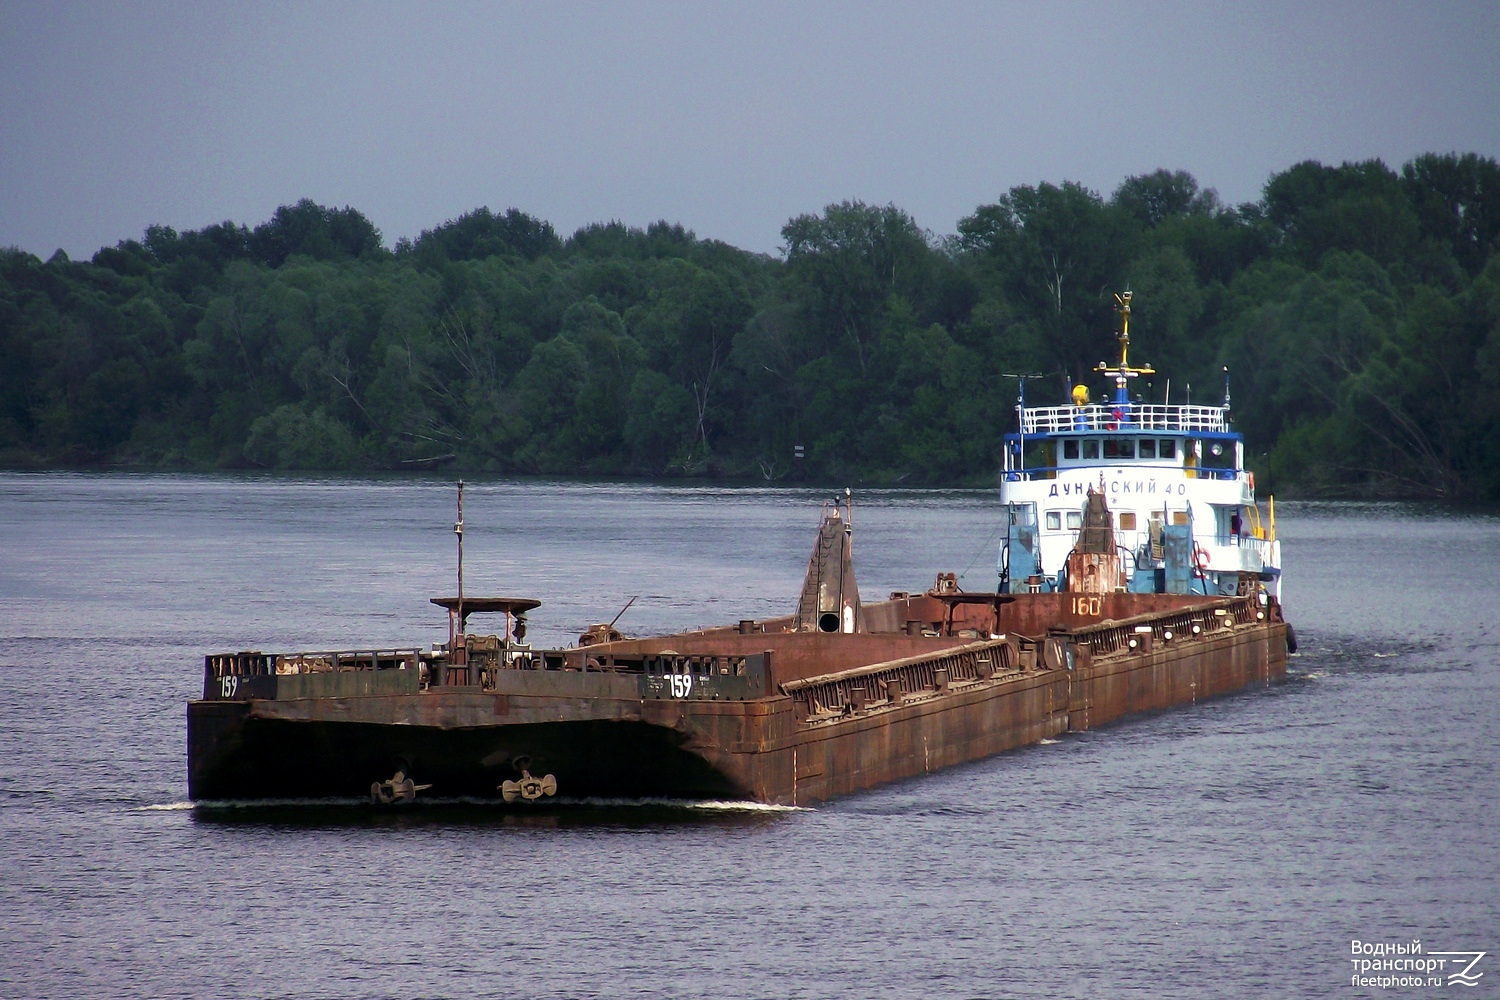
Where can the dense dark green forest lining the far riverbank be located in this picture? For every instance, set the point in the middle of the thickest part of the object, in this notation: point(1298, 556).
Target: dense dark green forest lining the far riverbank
point(1357, 308)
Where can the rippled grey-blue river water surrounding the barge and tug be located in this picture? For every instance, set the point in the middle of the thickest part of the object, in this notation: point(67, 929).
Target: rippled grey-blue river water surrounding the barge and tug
point(1223, 851)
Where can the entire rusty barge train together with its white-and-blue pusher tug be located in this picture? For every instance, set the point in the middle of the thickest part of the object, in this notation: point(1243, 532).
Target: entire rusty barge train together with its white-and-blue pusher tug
point(1093, 620)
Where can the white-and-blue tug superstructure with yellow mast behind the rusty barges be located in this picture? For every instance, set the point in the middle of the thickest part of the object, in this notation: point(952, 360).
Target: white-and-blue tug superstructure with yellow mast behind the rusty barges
point(1181, 504)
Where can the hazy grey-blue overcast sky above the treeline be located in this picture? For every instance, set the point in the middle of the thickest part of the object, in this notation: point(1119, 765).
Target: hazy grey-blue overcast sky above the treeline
point(725, 118)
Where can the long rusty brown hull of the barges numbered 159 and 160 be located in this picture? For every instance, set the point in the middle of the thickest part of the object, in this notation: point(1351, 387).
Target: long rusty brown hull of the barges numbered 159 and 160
point(787, 717)
